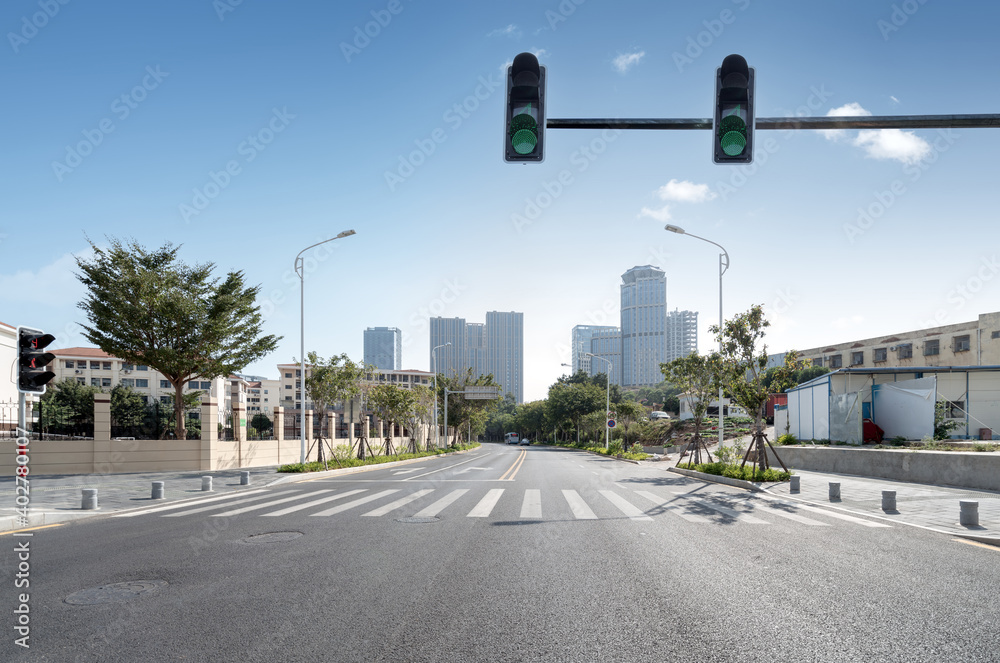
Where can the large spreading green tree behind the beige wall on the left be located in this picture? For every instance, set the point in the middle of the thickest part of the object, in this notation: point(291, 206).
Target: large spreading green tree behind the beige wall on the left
point(148, 308)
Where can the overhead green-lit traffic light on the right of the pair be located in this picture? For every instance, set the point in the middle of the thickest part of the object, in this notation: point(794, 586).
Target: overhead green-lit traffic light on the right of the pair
point(732, 125)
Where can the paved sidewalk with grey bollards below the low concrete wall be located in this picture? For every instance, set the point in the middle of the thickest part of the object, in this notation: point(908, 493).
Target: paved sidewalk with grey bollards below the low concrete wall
point(934, 508)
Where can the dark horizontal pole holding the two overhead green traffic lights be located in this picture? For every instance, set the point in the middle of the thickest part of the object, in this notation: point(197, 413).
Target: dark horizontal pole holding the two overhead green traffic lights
point(971, 121)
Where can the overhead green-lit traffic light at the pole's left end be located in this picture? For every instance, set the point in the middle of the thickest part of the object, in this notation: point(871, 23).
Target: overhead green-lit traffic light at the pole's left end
point(524, 119)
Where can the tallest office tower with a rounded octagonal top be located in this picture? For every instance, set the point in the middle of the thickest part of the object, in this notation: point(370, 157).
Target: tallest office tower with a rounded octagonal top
point(644, 317)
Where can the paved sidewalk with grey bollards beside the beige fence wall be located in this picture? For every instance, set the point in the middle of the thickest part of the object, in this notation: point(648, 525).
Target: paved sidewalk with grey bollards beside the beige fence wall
point(58, 498)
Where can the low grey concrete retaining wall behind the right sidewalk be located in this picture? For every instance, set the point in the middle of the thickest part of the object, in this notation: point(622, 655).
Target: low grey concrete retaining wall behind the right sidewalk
point(966, 469)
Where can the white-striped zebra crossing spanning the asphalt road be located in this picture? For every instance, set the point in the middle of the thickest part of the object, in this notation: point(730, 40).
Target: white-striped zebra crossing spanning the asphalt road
point(529, 504)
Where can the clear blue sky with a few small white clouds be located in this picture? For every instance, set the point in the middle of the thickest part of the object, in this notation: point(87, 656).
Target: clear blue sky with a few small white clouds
point(245, 131)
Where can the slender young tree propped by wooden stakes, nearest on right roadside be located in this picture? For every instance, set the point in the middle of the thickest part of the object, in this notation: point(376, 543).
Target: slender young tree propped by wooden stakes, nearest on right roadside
point(744, 359)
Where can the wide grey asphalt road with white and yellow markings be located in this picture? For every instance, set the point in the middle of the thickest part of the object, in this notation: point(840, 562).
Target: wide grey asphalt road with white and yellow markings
point(502, 554)
